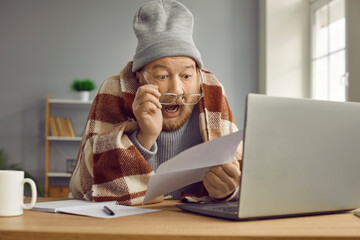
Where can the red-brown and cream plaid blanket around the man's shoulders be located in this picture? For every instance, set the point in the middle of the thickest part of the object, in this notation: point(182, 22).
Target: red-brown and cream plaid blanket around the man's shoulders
point(109, 167)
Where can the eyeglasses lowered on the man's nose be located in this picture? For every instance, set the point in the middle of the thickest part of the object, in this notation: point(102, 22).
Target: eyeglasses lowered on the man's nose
point(187, 99)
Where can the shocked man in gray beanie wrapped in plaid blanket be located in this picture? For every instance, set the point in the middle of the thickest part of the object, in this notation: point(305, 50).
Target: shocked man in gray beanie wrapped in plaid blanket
point(161, 104)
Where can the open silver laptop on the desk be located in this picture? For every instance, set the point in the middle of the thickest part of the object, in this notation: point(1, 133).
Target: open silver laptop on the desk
point(301, 157)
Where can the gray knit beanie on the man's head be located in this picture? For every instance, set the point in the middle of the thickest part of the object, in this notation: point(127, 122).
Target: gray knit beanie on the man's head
point(163, 28)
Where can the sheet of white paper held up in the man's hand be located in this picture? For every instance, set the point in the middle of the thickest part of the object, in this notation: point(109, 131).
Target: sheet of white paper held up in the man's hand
point(191, 165)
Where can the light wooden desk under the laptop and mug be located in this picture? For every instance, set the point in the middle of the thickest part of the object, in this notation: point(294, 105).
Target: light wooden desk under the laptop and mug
point(173, 223)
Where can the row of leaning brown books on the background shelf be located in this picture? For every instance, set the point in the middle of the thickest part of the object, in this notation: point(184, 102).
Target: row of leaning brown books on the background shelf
point(61, 127)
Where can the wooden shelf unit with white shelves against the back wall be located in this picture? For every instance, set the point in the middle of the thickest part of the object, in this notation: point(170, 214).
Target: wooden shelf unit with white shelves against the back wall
point(49, 139)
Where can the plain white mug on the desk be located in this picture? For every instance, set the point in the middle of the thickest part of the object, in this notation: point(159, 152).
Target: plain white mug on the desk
point(12, 193)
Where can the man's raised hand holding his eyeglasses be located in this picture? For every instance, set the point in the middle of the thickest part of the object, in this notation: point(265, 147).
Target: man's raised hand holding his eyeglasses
point(147, 110)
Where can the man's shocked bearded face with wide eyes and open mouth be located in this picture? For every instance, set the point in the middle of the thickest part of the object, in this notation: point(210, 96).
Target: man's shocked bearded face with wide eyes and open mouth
point(176, 75)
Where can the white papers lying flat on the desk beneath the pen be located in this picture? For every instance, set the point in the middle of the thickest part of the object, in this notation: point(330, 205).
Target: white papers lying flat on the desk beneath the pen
point(91, 209)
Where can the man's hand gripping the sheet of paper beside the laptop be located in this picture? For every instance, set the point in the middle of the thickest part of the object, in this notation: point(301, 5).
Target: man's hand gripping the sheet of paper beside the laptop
point(221, 181)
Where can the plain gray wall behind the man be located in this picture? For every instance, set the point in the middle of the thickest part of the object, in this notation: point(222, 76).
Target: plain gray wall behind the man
point(45, 44)
